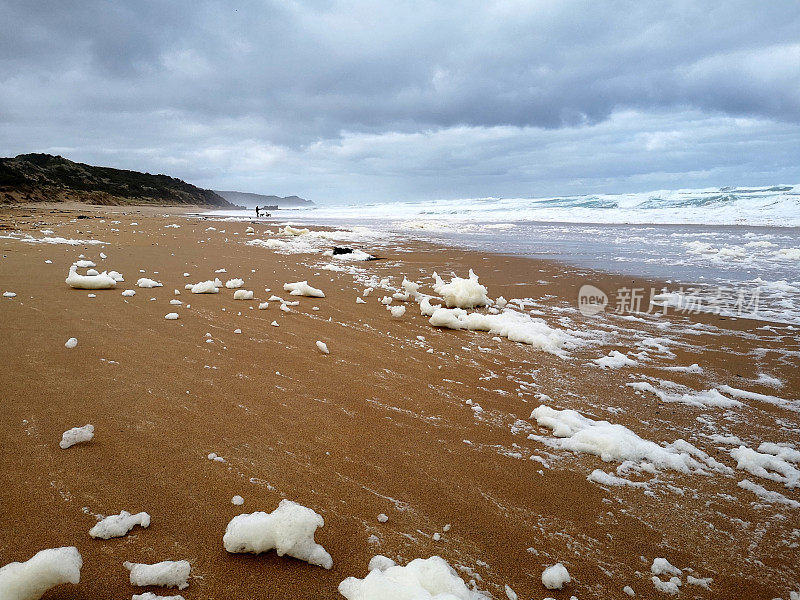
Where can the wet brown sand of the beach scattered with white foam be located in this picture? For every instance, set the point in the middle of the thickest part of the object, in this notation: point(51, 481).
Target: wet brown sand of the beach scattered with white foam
point(379, 425)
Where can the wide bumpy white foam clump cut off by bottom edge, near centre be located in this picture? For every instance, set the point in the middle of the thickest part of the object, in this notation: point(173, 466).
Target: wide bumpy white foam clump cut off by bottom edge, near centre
point(424, 579)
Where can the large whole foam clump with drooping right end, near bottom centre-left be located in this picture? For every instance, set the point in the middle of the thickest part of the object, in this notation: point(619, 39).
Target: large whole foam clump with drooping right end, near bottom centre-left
point(289, 529)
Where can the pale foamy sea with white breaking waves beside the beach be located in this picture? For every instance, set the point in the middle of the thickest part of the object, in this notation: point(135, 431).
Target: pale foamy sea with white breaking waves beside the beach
point(740, 245)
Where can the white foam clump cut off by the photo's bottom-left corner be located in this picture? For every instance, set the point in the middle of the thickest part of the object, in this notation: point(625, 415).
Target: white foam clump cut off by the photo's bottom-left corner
point(48, 568)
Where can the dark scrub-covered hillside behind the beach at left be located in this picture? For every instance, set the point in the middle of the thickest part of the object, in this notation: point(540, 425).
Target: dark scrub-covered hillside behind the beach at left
point(47, 178)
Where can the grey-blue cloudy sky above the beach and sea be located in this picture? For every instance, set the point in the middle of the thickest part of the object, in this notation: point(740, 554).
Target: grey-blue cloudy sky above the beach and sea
point(395, 100)
